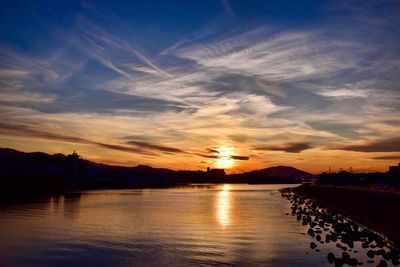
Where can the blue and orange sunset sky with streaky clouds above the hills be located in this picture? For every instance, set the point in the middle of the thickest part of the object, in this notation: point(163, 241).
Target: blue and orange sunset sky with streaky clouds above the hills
point(240, 85)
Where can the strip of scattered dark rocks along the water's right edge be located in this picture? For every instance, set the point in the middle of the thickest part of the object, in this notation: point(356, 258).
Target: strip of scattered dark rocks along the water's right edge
point(348, 242)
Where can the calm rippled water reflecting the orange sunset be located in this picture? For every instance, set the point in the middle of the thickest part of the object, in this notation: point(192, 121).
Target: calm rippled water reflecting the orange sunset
point(216, 225)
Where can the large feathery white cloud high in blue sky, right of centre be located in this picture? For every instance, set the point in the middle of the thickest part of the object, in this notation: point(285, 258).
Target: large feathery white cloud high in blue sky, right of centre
point(278, 57)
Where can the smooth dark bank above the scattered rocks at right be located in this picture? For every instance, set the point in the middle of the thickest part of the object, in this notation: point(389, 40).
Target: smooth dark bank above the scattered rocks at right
point(378, 210)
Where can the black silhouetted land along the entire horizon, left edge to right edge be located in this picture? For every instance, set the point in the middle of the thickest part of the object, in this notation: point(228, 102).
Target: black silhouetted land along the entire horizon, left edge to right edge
point(37, 172)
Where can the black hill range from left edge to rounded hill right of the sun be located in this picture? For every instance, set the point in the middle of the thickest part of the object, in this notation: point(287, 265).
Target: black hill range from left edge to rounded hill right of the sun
point(40, 170)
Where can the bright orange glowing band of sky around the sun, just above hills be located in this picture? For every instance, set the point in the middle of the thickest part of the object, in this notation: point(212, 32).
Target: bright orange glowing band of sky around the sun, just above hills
point(314, 160)
